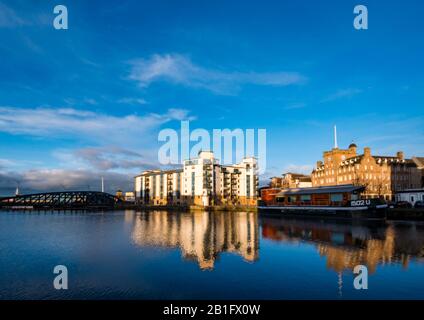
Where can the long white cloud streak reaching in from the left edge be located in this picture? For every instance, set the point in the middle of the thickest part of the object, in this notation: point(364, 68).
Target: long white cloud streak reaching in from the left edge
point(69, 122)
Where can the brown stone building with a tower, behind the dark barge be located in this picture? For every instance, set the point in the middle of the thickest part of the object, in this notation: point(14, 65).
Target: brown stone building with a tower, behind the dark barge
point(382, 176)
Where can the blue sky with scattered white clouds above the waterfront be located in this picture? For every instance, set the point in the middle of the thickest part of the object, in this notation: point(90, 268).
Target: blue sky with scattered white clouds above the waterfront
point(89, 101)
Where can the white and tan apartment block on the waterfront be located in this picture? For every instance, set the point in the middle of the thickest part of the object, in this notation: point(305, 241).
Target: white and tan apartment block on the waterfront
point(202, 182)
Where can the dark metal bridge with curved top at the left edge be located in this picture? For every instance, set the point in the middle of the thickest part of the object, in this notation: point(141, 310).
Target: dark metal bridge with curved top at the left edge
point(62, 200)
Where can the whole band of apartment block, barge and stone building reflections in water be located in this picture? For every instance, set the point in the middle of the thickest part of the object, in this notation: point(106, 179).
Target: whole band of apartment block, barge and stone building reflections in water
point(203, 236)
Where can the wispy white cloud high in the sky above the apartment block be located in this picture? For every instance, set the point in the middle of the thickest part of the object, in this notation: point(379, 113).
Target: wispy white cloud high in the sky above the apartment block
point(181, 70)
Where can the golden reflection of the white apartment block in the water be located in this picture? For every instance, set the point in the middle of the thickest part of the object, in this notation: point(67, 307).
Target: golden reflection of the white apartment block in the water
point(202, 236)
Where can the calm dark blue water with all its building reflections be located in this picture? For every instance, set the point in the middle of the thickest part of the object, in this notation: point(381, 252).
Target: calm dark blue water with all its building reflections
point(166, 255)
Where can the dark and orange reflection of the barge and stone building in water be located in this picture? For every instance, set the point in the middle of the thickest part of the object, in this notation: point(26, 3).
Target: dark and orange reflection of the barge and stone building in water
point(347, 244)
